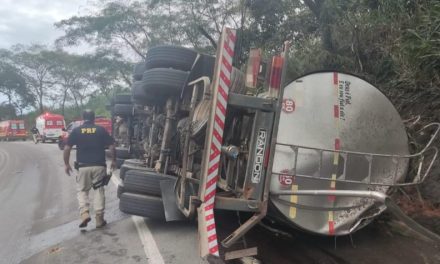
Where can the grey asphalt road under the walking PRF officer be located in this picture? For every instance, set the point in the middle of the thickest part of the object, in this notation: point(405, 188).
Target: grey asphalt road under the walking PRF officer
point(39, 218)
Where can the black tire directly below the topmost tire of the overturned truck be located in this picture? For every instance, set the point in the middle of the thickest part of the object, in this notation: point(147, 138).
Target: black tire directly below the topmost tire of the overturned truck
point(165, 82)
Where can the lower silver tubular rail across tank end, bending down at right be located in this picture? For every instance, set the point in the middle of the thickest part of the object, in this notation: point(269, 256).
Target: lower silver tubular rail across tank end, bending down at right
point(377, 197)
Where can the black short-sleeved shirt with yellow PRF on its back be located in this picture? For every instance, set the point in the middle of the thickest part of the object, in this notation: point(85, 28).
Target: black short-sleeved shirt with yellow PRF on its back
point(90, 141)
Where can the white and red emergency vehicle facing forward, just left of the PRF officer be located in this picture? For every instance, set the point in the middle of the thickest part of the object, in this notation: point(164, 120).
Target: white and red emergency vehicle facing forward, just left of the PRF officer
point(50, 126)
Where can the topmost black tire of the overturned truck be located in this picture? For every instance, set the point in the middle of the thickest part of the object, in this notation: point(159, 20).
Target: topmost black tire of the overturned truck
point(170, 57)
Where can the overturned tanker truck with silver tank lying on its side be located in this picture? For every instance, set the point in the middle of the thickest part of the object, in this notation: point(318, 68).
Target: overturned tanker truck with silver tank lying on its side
point(322, 153)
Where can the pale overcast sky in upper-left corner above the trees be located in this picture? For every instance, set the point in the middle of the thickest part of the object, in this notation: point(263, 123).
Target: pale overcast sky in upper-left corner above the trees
point(32, 21)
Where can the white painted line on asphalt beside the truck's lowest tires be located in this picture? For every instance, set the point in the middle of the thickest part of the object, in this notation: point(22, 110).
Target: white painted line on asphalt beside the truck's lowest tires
point(149, 244)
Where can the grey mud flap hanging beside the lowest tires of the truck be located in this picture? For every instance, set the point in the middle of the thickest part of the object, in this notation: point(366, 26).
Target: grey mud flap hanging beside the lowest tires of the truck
point(172, 212)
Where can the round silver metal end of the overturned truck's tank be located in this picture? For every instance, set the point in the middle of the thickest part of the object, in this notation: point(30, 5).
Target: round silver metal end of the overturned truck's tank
point(325, 115)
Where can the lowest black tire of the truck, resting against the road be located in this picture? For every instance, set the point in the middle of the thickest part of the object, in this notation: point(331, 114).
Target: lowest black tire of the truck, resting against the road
point(142, 205)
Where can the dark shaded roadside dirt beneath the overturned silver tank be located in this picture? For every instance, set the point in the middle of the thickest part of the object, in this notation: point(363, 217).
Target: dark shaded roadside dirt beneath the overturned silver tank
point(385, 240)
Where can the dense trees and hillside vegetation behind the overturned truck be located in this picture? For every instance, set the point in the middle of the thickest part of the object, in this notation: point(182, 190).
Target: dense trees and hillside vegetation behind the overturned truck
point(393, 44)
